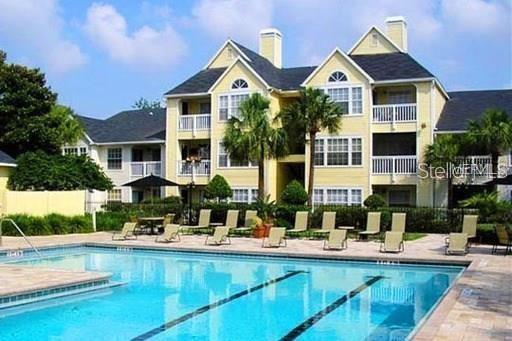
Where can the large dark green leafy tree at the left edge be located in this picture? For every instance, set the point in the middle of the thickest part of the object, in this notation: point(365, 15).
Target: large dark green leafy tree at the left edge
point(29, 119)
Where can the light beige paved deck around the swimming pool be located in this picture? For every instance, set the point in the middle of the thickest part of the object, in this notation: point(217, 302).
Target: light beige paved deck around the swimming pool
point(479, 306)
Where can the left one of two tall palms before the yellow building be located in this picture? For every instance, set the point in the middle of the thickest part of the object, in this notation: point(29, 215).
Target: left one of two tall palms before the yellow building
point(252, 136)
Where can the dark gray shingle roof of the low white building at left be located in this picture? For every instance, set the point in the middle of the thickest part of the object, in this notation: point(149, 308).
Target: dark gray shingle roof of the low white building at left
point(131, 125)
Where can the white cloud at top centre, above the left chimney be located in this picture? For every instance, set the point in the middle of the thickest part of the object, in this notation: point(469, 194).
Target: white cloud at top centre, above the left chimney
point(239, 19)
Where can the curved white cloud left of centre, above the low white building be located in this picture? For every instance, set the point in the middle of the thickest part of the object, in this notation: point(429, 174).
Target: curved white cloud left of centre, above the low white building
point(145, 47)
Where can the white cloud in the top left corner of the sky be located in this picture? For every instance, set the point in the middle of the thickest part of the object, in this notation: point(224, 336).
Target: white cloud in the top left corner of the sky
point(37, 25)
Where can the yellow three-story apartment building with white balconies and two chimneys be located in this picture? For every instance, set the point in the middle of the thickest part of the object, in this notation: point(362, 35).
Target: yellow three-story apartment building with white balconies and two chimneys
point(394, 107)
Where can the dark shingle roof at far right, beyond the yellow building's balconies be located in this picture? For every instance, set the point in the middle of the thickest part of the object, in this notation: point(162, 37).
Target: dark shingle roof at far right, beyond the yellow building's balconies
point(469, 105)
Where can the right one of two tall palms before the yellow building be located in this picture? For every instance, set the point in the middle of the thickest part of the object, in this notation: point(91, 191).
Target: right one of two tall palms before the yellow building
point(312, 113)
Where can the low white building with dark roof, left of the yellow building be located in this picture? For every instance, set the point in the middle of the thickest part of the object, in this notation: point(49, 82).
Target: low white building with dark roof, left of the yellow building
point(128, 145)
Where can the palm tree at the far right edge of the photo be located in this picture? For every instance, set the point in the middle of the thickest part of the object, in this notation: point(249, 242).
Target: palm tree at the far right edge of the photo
point(494, 133)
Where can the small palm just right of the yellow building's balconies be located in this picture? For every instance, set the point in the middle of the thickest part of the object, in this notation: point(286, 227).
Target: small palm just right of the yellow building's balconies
point(443, 153)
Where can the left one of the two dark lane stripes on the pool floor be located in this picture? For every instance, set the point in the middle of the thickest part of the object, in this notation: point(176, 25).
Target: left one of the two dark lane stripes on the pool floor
point(213, 305)
